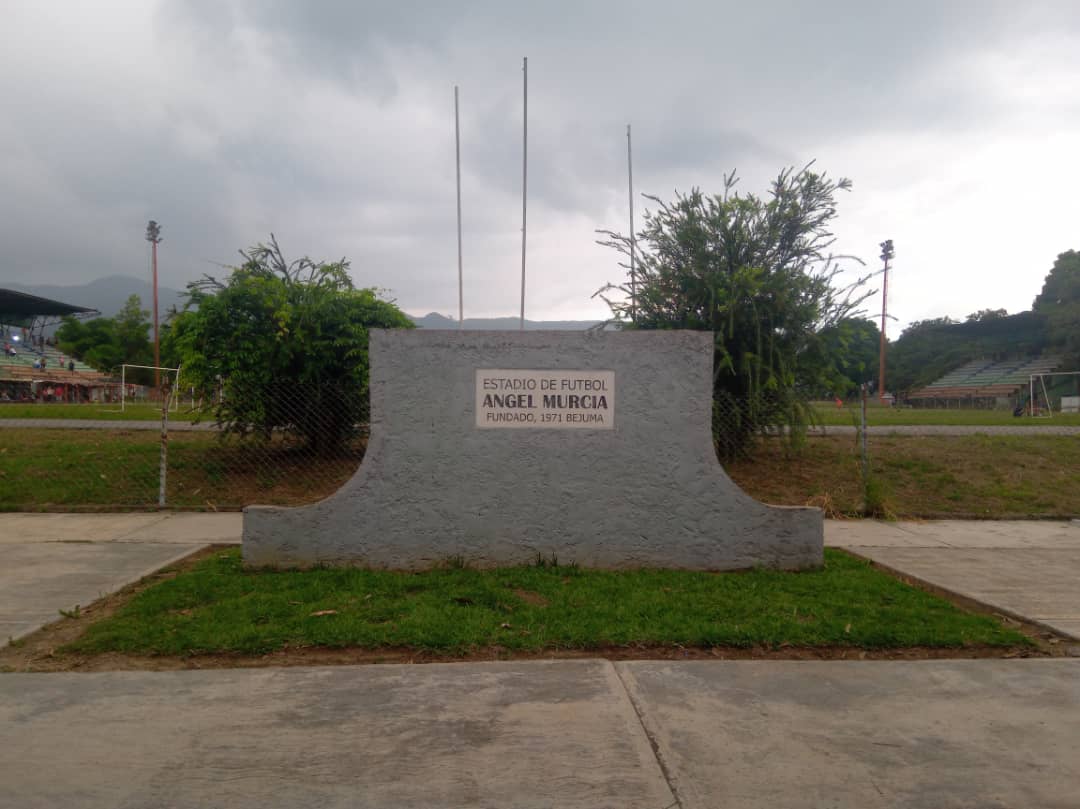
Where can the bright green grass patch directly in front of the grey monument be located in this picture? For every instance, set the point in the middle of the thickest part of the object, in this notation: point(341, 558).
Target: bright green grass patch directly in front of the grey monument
point(220, 608)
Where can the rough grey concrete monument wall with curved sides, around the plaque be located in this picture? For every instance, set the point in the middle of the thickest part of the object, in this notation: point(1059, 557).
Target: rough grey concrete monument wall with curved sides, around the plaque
point(434, 486)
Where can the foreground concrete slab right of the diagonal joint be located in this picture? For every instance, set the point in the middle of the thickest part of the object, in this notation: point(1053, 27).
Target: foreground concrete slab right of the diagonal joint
point(929, 735)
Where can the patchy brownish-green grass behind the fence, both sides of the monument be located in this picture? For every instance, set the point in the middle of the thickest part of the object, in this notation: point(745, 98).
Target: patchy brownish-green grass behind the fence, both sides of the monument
point(948, 476)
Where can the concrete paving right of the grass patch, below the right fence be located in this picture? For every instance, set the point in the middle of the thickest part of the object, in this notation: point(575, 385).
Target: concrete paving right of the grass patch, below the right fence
point(1029, 570)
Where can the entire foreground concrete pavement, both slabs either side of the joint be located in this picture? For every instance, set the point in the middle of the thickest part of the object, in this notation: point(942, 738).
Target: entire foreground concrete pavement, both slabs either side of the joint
point(566, 734)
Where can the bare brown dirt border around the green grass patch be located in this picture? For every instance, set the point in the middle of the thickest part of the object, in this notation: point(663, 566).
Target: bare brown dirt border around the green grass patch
point(40, 652)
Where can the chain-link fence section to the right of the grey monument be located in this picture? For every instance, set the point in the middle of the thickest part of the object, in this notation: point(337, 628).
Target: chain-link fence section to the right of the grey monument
point(860, 457)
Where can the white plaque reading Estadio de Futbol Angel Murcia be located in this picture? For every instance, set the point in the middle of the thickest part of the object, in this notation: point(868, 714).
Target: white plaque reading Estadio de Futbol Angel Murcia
point(552, 400)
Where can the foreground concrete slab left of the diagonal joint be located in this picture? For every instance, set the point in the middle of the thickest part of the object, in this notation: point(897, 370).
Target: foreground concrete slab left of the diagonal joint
point(560, 734)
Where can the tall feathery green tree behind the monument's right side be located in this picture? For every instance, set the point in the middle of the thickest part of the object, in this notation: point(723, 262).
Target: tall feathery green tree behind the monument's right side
point(758, 274)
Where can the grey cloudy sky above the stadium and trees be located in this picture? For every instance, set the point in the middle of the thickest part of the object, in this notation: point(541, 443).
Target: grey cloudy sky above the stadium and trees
point(331, 124)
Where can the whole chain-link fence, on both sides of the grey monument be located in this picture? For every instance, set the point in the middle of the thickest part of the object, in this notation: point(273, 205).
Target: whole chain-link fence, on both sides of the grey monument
point(286, 444)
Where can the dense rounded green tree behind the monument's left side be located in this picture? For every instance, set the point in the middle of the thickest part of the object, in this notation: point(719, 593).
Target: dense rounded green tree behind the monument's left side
point(287, 343)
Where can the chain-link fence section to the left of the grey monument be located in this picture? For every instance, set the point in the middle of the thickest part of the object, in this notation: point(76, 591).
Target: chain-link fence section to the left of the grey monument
point(268, 443)
